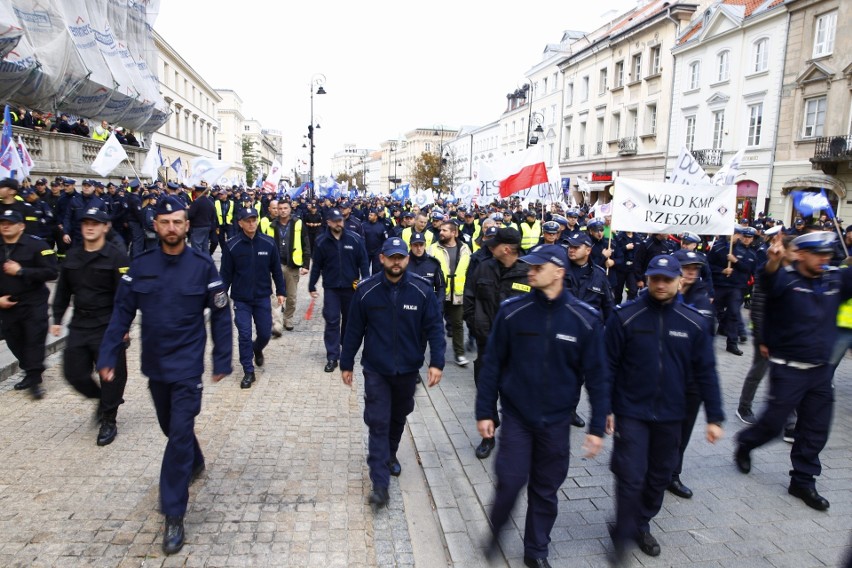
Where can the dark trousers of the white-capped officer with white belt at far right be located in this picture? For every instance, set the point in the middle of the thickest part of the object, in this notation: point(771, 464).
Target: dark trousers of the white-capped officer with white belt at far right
point(811, 393)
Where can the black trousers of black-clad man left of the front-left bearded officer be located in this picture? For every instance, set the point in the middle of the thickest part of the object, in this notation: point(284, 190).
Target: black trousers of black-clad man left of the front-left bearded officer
point(79, 360)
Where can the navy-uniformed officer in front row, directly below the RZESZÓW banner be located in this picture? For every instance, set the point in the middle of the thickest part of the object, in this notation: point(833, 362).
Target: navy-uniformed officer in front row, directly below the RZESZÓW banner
point(655, 346)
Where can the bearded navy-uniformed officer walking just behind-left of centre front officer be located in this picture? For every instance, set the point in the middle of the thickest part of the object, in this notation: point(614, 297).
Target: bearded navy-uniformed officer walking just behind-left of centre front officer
point(341, 259)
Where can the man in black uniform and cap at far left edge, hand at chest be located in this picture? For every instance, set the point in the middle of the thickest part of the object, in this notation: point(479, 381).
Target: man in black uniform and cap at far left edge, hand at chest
point(27, 263)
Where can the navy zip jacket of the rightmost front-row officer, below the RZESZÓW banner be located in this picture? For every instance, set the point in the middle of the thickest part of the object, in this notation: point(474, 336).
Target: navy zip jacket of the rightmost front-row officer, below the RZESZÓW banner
point(654, 351)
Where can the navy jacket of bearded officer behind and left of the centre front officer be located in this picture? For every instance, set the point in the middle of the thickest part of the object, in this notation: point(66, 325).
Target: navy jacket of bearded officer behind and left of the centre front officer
point(342, 262)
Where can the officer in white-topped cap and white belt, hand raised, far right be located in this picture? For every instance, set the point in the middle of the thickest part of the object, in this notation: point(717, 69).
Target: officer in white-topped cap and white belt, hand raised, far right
point(799, 330)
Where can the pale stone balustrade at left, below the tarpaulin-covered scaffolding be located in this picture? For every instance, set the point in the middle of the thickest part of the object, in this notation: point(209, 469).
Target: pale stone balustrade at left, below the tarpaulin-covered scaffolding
point(56, 154)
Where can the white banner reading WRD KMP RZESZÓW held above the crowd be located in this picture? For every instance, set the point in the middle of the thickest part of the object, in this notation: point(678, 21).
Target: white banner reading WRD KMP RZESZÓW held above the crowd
point(655, 207)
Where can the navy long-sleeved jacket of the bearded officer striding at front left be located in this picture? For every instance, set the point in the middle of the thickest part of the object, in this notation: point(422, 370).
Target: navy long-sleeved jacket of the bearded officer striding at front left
point(172, 291)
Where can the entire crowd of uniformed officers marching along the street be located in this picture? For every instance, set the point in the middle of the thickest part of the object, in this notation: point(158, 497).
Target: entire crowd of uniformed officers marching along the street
point(552, 300)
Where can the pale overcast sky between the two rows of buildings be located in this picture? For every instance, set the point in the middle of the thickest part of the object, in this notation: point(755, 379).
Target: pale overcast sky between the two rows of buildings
point(390, 67)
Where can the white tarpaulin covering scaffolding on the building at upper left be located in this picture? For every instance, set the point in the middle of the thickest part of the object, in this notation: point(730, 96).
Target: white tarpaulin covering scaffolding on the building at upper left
point(91, 58)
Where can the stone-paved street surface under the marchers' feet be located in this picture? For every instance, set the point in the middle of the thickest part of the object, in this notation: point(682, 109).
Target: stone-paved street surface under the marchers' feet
point(286, 481)
